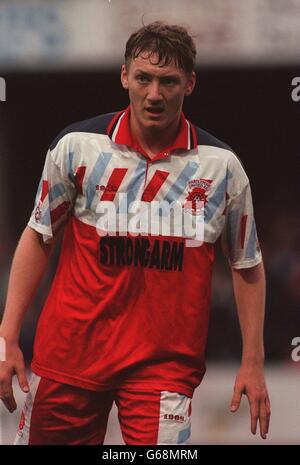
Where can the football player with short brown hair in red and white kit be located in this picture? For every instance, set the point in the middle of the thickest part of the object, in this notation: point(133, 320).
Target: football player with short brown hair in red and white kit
point(127, 316)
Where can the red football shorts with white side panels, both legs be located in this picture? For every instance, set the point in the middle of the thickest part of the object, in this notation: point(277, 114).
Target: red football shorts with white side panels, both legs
point(56, 413)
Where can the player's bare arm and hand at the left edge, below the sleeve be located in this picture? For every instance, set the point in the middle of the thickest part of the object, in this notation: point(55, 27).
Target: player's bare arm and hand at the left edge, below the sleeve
point(28, 266)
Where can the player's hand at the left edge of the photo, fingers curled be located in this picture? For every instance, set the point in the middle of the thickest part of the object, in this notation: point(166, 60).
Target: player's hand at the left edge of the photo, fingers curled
point(11, 362)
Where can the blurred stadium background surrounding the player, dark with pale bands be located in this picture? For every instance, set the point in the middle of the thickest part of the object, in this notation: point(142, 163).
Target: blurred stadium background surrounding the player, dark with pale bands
point(61, 61)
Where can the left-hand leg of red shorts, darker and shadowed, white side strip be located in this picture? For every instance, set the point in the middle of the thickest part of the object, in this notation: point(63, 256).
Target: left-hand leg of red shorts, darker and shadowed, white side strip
point(56, 413)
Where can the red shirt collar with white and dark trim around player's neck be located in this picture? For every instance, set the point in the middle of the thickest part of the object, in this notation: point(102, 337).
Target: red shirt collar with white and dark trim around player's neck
point(119, 132)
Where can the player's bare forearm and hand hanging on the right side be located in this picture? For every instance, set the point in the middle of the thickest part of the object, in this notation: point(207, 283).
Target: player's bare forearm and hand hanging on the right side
point(249, 290)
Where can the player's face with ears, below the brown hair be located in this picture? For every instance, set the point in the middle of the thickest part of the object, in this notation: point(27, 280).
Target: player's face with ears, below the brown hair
point(156, 92)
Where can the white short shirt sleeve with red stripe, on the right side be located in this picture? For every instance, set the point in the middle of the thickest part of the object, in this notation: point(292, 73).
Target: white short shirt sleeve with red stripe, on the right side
point(239, 237)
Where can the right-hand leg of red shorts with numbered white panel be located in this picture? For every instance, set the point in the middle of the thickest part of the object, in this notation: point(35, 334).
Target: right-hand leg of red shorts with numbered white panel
point(157, 417)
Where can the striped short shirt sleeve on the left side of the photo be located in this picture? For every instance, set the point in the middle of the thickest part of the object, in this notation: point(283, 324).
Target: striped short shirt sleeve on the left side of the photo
point(55, 196)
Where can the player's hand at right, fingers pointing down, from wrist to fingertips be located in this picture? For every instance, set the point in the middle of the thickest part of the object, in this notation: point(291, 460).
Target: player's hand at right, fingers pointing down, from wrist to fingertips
point(250, 381)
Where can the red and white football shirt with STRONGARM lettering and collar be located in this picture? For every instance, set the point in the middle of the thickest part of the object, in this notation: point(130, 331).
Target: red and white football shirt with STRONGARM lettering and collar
point(129, 310)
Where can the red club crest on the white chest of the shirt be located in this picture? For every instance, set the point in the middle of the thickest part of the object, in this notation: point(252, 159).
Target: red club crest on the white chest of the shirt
point(197, 196)
